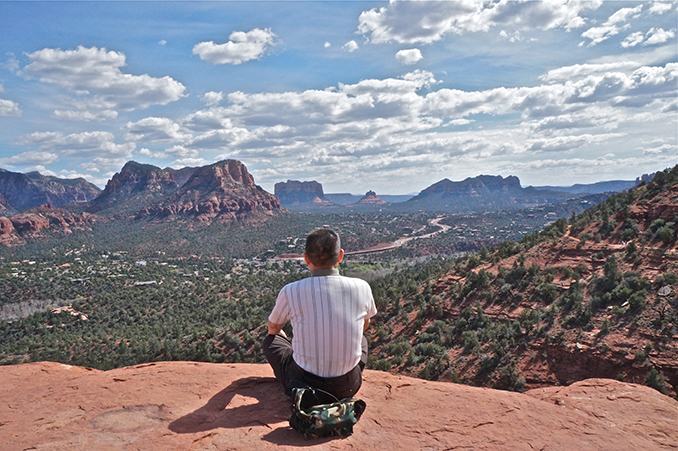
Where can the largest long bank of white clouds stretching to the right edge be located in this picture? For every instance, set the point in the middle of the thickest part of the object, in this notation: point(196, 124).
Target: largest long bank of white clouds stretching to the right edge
point(390, 125)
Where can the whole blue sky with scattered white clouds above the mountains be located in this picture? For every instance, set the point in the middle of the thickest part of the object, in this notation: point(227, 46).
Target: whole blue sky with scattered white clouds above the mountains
point(384, 96)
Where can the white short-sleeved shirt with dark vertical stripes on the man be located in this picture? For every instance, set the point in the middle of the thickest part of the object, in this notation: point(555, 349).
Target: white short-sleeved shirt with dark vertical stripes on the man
point(327, 313)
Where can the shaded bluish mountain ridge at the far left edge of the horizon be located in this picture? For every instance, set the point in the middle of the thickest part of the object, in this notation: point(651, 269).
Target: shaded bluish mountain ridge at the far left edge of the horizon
point(19, 192)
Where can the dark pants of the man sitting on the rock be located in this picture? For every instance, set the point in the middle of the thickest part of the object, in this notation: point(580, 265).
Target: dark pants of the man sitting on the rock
point(278, 352)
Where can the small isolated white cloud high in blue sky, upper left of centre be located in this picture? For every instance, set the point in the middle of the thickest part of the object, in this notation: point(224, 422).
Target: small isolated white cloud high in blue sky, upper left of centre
point(242, 47)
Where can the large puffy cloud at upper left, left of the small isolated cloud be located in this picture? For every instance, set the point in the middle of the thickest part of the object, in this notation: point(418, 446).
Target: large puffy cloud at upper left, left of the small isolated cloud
point(95, 76)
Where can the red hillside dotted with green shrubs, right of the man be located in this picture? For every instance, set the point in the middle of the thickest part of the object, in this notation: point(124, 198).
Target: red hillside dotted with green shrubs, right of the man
point(595, 297)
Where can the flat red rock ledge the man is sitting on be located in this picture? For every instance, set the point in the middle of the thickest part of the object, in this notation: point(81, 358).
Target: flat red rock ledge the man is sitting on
point(203, 406)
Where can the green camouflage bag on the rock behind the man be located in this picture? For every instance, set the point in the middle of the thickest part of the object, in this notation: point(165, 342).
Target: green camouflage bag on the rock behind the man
point(317, 420)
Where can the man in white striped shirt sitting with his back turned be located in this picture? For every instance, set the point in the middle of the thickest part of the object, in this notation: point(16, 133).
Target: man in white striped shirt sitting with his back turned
point(329, 314)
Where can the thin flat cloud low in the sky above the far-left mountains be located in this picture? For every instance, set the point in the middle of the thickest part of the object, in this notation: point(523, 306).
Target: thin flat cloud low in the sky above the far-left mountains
point(87, 144)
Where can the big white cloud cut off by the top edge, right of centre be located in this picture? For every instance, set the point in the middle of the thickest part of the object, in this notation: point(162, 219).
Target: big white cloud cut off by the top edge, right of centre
point(411, 22)
